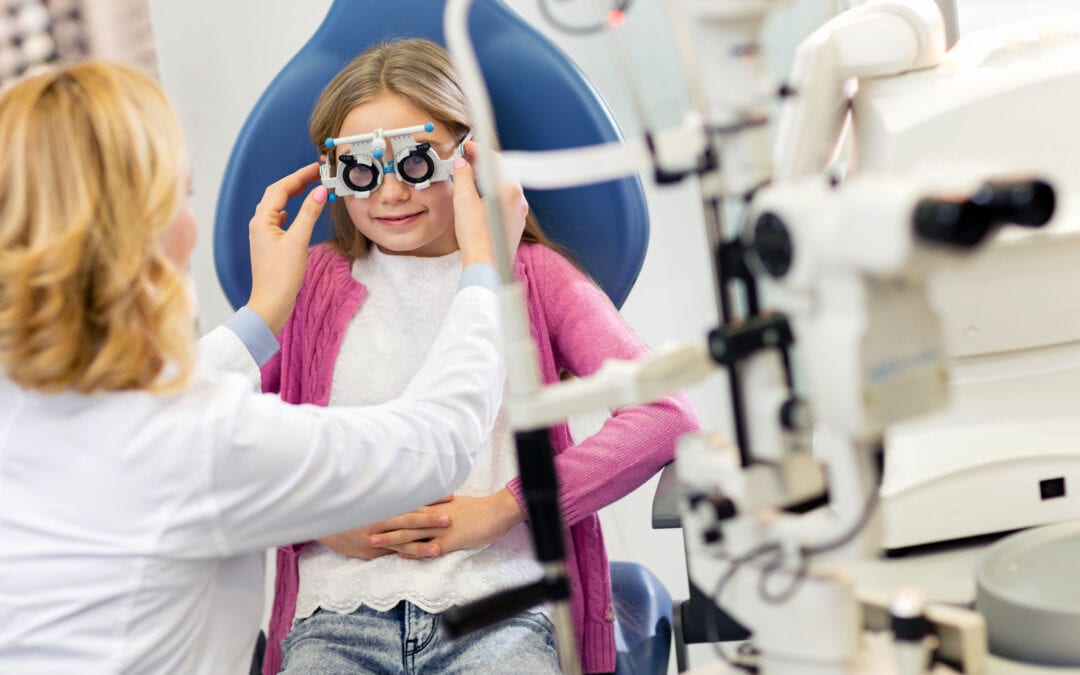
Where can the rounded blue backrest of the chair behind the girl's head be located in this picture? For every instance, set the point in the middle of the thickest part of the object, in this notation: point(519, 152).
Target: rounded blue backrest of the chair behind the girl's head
point(542, 101)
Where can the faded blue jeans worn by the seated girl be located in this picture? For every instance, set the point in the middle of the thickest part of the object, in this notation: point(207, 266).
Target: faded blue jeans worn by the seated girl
point(407, 640)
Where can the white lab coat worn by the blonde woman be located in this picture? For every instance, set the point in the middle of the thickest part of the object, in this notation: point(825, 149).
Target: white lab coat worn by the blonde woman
point(133, 528)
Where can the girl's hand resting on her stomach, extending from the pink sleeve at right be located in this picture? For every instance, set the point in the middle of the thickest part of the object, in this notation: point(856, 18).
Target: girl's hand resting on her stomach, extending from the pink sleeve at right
point(476, 522)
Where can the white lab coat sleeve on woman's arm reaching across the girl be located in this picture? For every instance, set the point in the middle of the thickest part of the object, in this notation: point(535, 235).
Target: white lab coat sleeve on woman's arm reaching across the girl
point(288, 474)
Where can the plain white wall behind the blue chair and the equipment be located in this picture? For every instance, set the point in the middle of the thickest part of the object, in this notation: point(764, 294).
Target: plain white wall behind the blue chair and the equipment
point(217, 58)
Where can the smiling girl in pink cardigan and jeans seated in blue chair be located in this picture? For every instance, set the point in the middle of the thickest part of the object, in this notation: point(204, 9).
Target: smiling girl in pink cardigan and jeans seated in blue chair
point(367, 307)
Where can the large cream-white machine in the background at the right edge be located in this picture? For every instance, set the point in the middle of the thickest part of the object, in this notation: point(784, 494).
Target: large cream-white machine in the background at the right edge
point(1003, 455)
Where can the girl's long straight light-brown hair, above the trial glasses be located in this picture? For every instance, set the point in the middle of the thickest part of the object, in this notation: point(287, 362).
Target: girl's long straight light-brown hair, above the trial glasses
point(416, 70)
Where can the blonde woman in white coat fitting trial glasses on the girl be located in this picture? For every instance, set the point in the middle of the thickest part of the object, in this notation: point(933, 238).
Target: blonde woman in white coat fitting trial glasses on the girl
point(138, 491)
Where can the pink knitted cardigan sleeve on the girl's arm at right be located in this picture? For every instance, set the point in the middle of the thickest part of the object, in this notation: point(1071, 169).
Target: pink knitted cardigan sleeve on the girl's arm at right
point(586, 330)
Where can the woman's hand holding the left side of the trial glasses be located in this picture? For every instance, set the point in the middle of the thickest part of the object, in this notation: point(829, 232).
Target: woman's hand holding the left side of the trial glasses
point(280, 258)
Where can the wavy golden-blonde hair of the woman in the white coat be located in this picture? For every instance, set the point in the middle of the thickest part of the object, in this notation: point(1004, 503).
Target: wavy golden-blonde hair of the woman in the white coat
point(90, 182)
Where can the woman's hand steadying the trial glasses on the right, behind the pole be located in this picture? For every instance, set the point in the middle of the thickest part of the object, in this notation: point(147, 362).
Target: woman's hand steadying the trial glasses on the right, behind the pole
point(470, 217)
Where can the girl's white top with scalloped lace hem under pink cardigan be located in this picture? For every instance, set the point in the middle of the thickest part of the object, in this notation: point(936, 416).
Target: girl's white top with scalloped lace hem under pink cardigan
point(384, 346)
